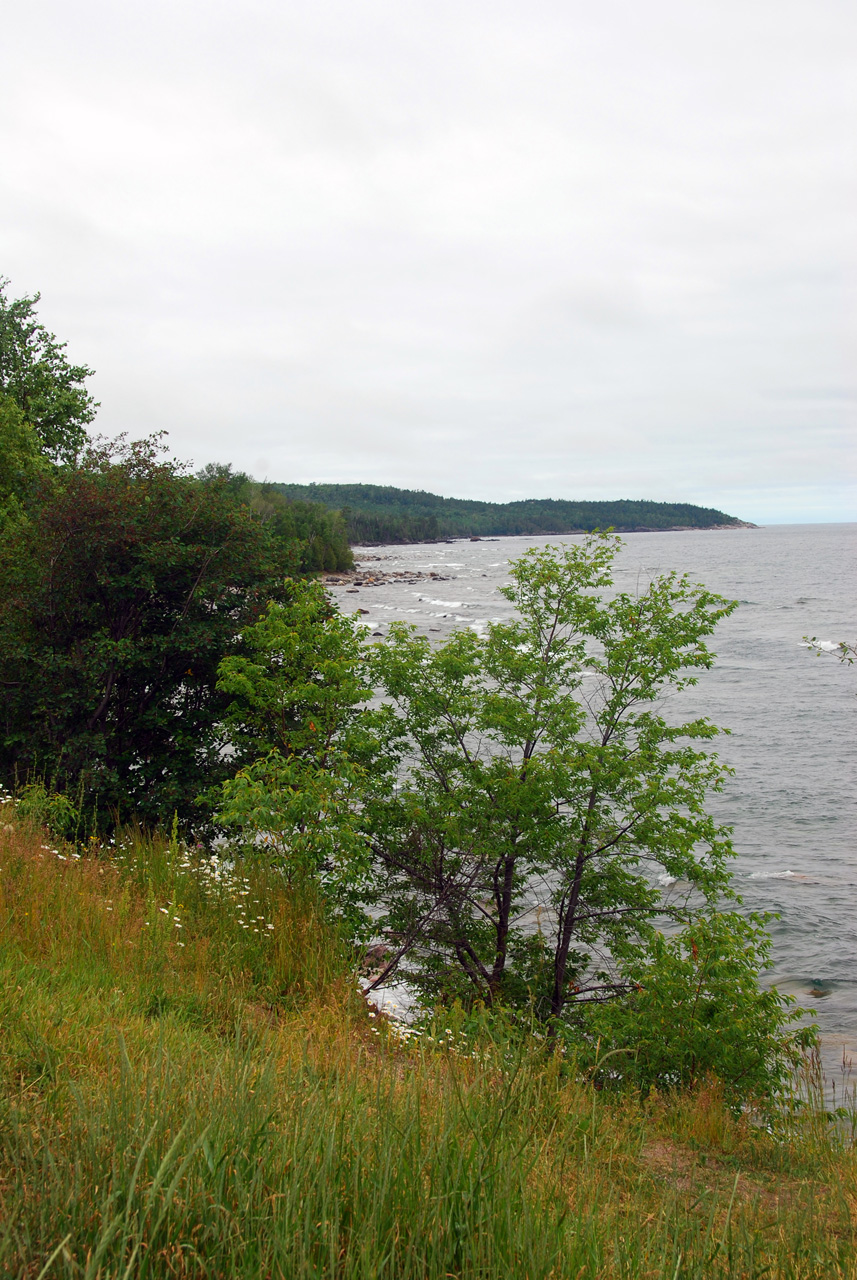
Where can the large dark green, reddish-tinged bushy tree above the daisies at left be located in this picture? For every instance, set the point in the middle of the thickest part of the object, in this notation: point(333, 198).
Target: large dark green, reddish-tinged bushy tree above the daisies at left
point(125, 586)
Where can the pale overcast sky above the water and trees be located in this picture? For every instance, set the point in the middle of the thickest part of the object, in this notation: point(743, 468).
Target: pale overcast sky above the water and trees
point(496, 250)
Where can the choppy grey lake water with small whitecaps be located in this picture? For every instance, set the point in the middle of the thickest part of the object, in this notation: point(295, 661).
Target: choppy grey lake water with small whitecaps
point(794, 717)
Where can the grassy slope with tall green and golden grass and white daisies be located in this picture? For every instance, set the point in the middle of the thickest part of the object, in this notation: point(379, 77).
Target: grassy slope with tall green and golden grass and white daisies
point(216, 1100)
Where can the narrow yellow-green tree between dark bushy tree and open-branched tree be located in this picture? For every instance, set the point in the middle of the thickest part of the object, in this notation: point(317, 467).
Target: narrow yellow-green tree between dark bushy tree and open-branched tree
point(296, 696)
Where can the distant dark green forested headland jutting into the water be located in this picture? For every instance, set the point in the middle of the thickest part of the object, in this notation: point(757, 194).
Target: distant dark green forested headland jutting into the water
point(383, 514)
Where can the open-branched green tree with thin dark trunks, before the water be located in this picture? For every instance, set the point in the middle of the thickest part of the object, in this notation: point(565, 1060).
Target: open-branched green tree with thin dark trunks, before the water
point(530, 790)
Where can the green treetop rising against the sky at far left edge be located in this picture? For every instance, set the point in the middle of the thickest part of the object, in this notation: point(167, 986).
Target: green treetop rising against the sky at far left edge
point(36, 374)
